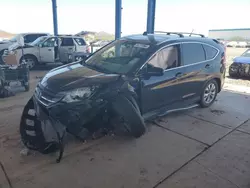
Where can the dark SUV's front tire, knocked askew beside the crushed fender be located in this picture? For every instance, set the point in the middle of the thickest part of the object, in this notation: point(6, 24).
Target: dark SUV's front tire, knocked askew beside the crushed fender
point(134, 121)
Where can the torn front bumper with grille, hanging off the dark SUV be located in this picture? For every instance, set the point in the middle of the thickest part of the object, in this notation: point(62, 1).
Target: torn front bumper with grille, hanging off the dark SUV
point(44, 121)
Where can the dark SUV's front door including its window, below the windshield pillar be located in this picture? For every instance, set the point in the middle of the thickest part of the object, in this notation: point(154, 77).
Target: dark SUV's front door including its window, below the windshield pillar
point(163, 91)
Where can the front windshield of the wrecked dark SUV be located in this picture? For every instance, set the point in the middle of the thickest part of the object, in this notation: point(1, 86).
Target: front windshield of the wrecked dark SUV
point(119, 56)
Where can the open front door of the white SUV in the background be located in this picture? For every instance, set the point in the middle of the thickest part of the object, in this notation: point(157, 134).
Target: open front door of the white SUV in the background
point(47, 51)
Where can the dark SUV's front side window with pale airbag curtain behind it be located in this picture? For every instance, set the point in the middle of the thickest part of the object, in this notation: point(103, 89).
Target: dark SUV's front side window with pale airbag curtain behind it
point(166, 58)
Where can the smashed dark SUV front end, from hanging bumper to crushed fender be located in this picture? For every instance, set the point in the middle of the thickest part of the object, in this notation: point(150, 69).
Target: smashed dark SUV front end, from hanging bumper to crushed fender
point(47, 117)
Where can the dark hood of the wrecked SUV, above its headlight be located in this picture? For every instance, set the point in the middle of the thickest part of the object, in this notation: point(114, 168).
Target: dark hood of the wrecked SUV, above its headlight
point(74, 75)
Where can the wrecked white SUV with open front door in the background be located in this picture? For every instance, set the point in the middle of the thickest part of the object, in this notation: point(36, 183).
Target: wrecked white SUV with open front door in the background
point(49, 49)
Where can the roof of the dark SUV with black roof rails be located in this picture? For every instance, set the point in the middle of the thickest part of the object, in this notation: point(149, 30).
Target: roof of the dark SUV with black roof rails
point(156, 39)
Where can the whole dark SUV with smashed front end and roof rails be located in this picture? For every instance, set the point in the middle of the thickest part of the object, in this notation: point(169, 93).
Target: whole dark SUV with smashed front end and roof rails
point(128, 81)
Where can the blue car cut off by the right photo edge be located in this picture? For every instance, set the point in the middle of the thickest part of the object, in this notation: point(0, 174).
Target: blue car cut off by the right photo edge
point(241, 65)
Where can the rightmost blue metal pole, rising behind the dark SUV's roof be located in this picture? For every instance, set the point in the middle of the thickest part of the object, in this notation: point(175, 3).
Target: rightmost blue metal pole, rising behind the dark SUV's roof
point(151, 16)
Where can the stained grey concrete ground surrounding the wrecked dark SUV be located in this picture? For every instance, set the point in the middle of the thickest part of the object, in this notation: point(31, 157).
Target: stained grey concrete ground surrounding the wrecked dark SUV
point(195, 148)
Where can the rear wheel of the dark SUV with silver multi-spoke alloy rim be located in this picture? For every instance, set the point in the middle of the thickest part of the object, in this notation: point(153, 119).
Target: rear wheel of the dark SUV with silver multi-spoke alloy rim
point(209, 93)
